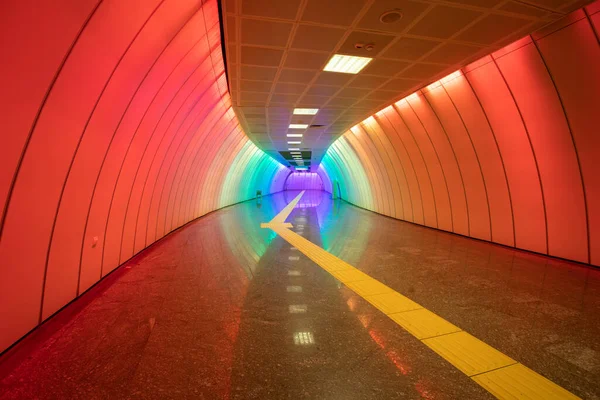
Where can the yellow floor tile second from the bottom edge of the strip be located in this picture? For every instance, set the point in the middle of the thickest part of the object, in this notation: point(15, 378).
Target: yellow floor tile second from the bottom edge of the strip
point(468, 353)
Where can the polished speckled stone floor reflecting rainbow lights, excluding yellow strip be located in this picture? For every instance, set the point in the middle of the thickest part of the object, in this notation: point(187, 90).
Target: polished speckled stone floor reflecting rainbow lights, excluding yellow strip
point(223, 309)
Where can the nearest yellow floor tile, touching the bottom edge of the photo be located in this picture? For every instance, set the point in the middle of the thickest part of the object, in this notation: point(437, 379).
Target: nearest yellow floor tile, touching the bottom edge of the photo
point(519, 382)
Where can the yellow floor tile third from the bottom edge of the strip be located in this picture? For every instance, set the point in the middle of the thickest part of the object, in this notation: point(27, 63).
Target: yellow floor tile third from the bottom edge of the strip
point(423, 323)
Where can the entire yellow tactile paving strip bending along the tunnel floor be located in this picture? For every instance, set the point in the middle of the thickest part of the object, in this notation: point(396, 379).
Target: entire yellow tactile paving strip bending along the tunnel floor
point(499, 374)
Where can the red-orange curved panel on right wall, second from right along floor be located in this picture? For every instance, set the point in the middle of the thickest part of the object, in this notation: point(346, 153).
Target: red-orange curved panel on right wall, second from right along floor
point(552, 143)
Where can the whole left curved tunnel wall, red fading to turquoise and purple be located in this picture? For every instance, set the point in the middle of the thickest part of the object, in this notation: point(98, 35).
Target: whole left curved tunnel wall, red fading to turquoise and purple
point(118, 133)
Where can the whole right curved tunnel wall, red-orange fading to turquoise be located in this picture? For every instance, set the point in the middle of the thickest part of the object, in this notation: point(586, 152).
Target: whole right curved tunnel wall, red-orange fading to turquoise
point(504, 150)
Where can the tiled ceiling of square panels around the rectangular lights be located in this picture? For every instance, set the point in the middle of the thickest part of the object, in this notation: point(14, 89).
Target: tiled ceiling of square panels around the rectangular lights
point(276, 51)
